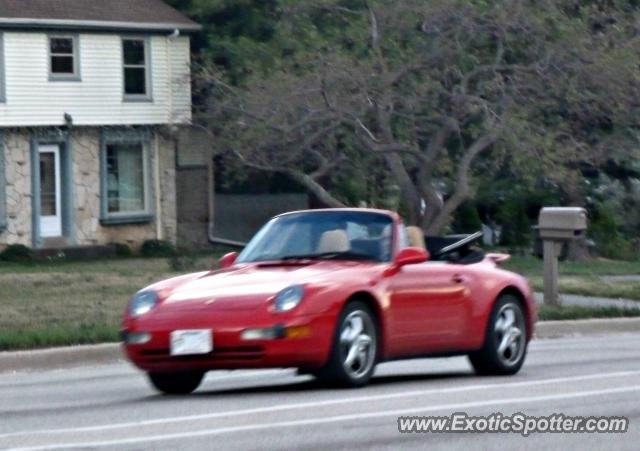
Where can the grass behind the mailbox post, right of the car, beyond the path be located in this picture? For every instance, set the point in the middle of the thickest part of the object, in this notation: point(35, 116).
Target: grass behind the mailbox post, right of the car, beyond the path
point(584, 278)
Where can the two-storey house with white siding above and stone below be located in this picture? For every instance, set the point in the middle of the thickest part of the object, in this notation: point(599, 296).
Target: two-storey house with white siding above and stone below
point(91, 95)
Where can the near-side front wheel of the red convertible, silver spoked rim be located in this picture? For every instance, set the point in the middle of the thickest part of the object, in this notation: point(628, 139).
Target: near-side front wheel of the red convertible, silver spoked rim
point(354, 352)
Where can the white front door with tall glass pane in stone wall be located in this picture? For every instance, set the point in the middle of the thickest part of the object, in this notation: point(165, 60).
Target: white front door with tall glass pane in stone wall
point(50, 214)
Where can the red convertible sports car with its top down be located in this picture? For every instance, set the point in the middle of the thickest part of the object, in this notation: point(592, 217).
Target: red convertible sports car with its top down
point(333, 293)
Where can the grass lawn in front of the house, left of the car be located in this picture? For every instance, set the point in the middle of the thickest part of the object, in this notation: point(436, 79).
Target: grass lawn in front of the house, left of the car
point(65, 303)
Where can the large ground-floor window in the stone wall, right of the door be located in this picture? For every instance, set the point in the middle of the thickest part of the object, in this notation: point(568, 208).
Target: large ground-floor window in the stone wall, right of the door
point(126, 179)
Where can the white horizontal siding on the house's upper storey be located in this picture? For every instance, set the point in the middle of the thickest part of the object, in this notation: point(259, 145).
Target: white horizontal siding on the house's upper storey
point(97, 99)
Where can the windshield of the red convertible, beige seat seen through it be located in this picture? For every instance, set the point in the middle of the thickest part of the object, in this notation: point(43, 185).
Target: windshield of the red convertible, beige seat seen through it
point(322, 235)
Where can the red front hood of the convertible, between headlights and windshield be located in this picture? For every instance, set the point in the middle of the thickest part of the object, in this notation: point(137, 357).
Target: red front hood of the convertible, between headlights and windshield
point(251, 285)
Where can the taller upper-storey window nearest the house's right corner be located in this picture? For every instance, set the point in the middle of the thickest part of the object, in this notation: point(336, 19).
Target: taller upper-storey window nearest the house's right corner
point(137, 80)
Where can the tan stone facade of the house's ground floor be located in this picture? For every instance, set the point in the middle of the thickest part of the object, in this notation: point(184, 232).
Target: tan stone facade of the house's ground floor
point(86, 225)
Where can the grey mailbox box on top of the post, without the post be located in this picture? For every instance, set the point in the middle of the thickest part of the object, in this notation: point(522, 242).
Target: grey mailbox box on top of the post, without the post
point(562, 223)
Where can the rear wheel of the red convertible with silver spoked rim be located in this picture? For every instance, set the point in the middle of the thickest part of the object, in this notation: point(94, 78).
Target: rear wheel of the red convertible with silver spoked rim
point(505, 343)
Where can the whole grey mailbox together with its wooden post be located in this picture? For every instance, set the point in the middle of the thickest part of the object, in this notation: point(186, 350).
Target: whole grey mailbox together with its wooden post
point(558, 225)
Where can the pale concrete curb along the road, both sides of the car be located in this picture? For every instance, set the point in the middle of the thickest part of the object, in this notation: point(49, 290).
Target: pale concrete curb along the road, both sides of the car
point(76, 356)
